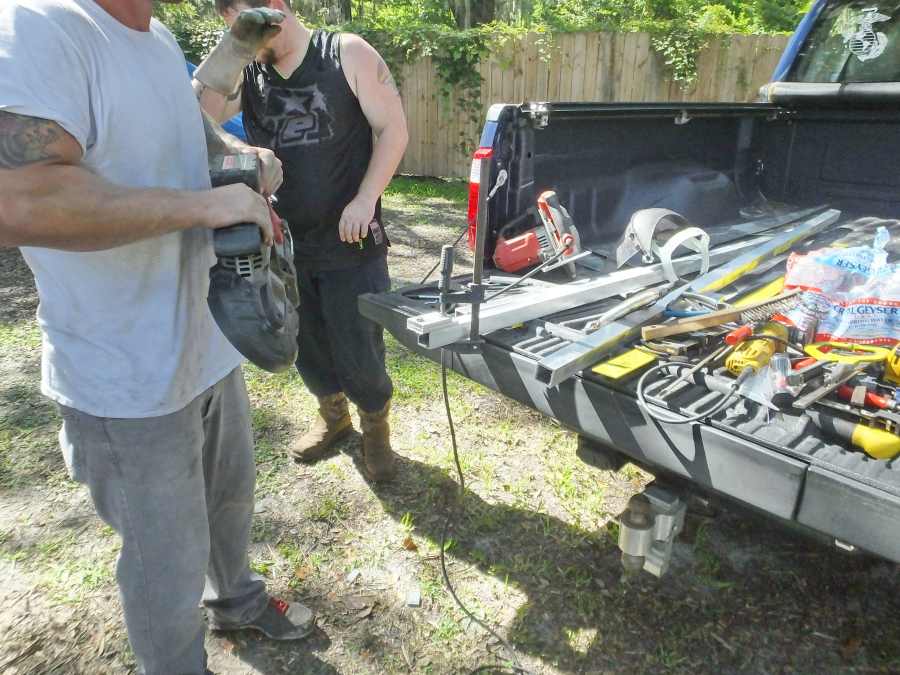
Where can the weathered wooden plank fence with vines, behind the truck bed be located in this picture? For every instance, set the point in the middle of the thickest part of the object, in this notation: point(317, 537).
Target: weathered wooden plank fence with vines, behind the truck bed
point(582, 67)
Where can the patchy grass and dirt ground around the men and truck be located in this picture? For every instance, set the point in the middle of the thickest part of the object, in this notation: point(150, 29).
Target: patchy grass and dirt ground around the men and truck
point(533, 552)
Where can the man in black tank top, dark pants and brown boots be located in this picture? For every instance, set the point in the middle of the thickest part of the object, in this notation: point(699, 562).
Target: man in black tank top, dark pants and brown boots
point(317, 99)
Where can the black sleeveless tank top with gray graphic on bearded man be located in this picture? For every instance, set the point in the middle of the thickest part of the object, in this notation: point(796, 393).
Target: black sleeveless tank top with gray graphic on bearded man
point(314, 124)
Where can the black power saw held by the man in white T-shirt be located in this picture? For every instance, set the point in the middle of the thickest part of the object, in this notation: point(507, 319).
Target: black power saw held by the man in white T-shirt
point(253, 292)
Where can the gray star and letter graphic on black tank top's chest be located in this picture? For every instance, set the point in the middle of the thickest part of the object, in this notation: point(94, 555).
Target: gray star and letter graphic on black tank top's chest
point(297, 116)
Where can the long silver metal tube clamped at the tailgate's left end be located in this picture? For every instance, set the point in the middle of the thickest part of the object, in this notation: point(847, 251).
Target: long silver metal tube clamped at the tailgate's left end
point(438, 330)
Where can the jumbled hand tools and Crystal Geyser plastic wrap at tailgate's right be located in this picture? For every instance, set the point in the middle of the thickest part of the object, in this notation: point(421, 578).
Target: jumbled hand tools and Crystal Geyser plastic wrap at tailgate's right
point(770, 348)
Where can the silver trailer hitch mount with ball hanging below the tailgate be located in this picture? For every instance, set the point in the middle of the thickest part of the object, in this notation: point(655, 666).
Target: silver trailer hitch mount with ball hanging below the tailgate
point(647, 530)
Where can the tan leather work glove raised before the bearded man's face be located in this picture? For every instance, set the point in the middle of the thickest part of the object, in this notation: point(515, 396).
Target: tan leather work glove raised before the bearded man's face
point(222, 70)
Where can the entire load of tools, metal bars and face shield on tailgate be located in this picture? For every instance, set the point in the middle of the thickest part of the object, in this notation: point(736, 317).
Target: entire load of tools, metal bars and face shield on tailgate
point(819, 340)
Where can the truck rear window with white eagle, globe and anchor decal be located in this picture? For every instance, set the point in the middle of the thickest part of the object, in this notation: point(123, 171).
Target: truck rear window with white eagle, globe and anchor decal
point(852, 41)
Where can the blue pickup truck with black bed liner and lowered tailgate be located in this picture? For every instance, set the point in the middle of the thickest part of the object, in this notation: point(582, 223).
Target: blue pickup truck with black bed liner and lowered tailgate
point(826, 132)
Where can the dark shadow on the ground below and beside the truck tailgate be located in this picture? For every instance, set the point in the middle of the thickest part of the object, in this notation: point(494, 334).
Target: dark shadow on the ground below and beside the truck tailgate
point(582, 616)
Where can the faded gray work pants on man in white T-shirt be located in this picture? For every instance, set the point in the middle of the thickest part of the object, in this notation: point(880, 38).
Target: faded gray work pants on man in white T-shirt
point(179, 491)
